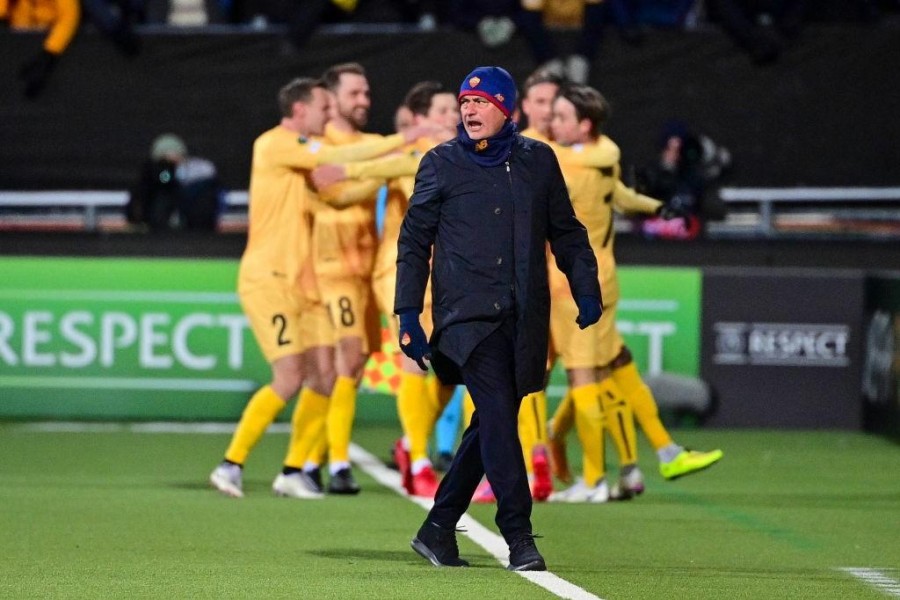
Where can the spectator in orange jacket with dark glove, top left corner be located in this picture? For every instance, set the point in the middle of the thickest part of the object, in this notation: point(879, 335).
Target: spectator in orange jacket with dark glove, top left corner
point(59, 18)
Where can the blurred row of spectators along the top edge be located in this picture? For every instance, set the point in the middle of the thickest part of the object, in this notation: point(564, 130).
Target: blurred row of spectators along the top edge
point(761, 28)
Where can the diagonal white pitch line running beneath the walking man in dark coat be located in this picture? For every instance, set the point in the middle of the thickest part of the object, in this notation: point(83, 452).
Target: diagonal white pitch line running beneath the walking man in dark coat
point(493, 543)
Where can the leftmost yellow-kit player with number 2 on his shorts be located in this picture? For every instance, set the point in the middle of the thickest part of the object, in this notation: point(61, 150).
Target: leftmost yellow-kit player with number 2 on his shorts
point(276, 283)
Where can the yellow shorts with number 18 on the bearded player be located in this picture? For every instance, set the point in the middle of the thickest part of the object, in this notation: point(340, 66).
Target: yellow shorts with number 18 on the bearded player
point(351, 310)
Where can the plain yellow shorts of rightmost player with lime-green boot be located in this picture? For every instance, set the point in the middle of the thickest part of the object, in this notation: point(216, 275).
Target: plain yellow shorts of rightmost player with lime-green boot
point(595, 346)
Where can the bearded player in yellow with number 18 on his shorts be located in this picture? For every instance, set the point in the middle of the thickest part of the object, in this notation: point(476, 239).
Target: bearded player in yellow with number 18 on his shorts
point(344, 242)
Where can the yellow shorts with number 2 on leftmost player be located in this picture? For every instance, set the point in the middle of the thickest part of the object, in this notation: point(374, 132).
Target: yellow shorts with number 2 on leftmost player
point(275, 313)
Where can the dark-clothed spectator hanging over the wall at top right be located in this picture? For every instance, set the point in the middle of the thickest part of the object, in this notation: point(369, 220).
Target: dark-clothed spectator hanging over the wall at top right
point(761, 27)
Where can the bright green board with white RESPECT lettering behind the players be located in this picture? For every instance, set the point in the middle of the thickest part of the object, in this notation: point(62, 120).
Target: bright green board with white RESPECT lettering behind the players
point(149, 339)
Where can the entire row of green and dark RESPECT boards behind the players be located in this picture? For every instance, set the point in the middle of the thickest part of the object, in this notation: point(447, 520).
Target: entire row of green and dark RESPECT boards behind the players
point(143, 339)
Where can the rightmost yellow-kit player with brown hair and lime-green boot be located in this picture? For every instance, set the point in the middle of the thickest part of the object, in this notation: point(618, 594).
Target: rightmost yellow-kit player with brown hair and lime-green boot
point(605, 384)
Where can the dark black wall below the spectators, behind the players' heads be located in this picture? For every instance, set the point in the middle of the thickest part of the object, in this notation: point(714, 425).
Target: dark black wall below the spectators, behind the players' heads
point(824, 115)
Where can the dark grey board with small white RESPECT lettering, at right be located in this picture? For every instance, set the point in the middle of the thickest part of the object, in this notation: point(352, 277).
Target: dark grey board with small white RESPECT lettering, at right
point(783, 348)
